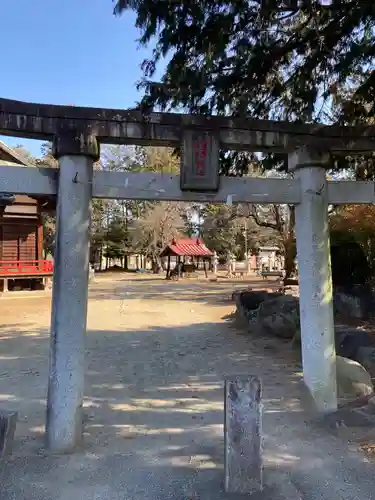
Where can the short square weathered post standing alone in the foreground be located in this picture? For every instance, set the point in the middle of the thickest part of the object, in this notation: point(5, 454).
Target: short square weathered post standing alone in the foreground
point(243, 435)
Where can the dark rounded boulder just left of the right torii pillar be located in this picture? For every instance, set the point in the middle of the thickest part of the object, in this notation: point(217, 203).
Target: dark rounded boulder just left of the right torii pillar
point(279, 316)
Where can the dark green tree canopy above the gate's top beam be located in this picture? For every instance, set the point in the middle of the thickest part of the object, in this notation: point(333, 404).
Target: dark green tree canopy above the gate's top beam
point(234, 58)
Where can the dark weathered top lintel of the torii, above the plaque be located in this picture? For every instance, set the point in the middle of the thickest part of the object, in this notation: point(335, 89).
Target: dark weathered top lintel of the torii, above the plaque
point(45, 121)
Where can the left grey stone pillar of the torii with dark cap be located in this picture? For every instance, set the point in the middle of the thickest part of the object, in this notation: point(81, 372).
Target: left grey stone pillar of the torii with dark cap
point(76, 154)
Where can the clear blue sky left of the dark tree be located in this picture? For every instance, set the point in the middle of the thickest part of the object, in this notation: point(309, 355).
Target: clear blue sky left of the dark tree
point(68, 52)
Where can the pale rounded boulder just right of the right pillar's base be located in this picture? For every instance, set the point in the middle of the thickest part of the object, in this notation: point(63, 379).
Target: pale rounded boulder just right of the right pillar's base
point(353, 380)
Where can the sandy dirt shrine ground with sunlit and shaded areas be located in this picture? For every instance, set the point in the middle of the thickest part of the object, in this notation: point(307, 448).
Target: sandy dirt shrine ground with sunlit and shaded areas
point(157, 356)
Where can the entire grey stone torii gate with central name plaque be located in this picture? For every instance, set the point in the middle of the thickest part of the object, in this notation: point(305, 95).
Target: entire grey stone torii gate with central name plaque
point(77, 133)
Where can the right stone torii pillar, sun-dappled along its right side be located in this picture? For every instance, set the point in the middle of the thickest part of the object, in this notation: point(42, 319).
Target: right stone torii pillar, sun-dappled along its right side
point(315, 279)
